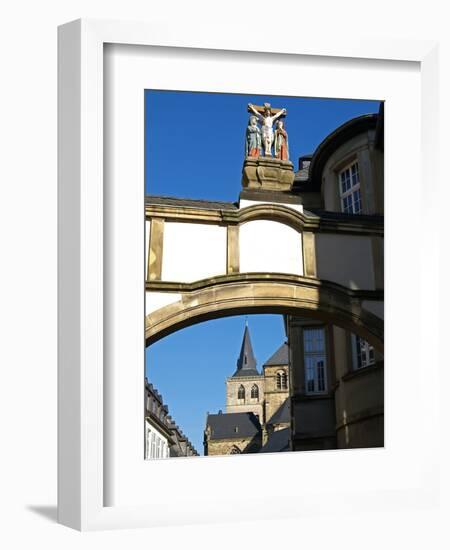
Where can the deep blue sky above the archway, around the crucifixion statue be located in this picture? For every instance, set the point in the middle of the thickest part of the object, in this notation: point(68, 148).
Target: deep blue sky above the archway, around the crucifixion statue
point(195, 141)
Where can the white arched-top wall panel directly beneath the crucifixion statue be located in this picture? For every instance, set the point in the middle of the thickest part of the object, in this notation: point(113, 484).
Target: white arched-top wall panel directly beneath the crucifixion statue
point(270, 246)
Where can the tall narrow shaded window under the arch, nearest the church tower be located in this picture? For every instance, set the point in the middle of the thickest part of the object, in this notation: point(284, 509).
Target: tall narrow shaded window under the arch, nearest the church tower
point(315, 361)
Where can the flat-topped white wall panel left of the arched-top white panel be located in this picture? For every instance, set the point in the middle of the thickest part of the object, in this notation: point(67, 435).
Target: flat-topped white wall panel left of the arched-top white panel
point(193, 251)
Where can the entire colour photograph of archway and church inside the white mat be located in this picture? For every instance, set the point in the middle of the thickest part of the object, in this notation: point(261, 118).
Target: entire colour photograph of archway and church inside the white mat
point(264, 283)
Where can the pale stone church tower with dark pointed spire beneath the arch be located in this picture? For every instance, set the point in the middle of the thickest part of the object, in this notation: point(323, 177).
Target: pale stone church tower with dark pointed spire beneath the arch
point(245, 388)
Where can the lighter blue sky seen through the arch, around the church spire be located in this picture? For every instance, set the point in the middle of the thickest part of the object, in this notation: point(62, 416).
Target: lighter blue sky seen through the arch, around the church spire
point(190, 366)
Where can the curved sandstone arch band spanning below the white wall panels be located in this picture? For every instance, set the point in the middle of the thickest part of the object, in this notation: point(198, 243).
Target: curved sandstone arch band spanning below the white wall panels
point(266, 293)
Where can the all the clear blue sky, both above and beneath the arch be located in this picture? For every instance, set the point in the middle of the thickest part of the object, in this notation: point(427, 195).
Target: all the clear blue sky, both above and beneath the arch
point(194, 149)
